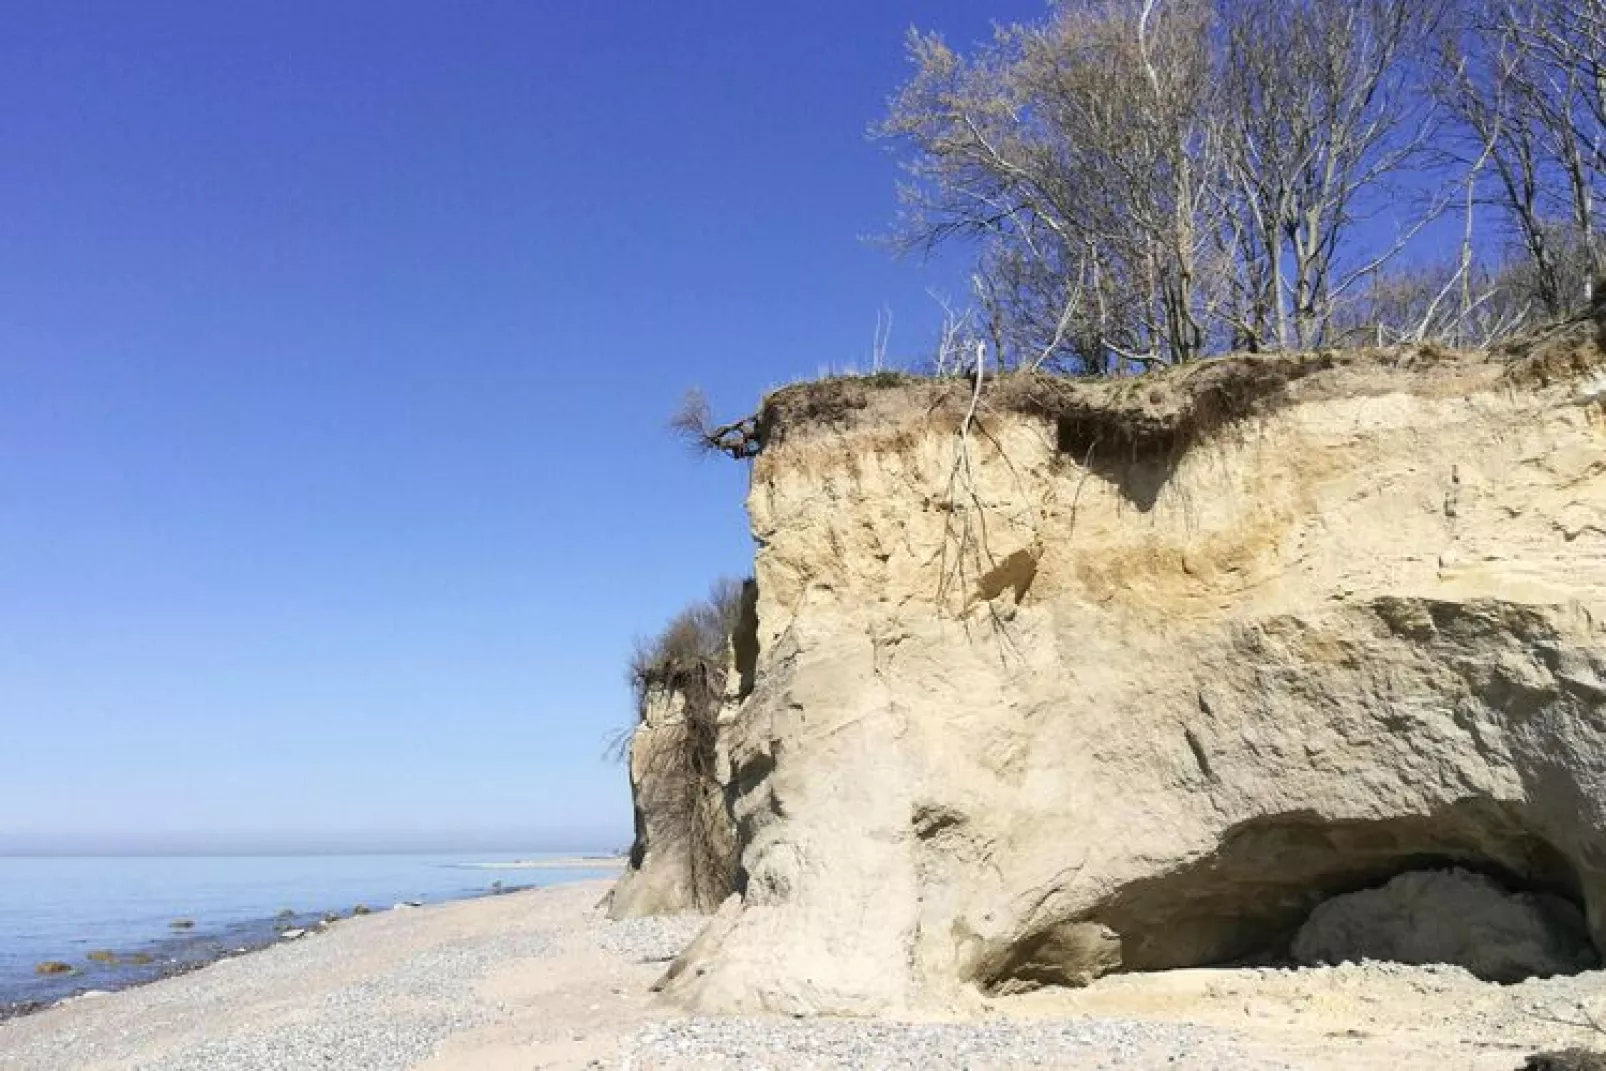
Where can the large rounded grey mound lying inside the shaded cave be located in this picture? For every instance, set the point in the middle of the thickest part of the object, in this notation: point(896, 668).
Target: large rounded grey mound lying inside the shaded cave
point(1449, 918)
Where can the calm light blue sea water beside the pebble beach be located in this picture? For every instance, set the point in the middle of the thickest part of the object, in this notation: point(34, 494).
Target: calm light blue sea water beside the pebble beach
point(67, 908)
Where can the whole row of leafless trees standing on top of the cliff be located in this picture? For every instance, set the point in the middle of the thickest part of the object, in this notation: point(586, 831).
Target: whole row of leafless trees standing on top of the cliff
point(1152, 181)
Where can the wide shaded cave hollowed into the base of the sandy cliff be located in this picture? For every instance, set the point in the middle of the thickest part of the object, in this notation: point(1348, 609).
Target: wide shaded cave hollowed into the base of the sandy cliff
point(1470, 887)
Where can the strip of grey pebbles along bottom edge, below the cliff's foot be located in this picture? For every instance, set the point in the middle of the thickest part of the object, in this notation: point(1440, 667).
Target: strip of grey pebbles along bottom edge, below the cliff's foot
point(764, 1045)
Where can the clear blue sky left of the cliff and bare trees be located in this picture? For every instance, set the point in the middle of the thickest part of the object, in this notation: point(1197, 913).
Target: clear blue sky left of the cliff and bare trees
point(336, 348)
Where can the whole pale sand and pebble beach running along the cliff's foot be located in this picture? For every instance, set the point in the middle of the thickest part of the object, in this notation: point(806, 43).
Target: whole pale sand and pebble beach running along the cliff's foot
point(540, 980)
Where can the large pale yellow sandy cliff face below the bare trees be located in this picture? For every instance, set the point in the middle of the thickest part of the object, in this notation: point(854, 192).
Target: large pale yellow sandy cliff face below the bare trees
point(1040, 696)
